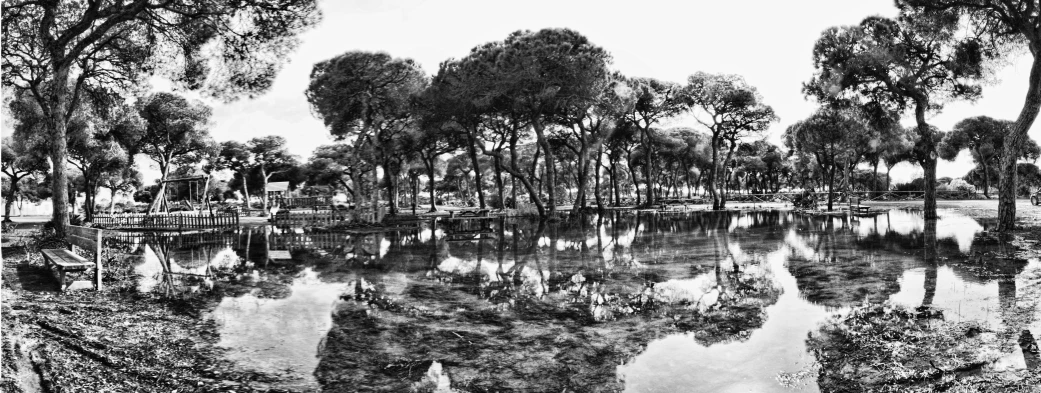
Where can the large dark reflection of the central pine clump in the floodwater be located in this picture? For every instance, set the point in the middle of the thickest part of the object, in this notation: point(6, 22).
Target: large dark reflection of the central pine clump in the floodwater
point(551, 307)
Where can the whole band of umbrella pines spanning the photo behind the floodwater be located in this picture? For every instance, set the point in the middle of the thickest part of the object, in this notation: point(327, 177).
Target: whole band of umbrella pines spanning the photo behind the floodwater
point(534, 122)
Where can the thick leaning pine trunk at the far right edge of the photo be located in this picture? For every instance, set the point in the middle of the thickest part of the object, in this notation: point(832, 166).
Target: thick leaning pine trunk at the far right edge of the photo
point(1015, 138)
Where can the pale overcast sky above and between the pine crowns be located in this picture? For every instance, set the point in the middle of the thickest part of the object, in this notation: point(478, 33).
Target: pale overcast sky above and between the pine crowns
point(769, 42)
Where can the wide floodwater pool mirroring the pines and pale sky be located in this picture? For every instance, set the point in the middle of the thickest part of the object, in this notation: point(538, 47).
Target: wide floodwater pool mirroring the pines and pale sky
point(626, 301)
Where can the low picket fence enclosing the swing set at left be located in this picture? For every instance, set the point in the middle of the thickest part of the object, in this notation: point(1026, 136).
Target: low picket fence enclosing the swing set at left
point(167, 222)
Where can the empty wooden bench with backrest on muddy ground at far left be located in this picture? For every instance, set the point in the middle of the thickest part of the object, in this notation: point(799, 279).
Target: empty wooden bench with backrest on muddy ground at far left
point(65, 261)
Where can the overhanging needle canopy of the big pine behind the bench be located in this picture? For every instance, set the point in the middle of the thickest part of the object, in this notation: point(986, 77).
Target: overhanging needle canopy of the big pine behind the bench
point(118, 45)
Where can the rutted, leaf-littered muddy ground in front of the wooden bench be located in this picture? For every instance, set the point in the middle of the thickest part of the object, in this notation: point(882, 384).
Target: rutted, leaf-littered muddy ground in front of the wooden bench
point(85, 342)
